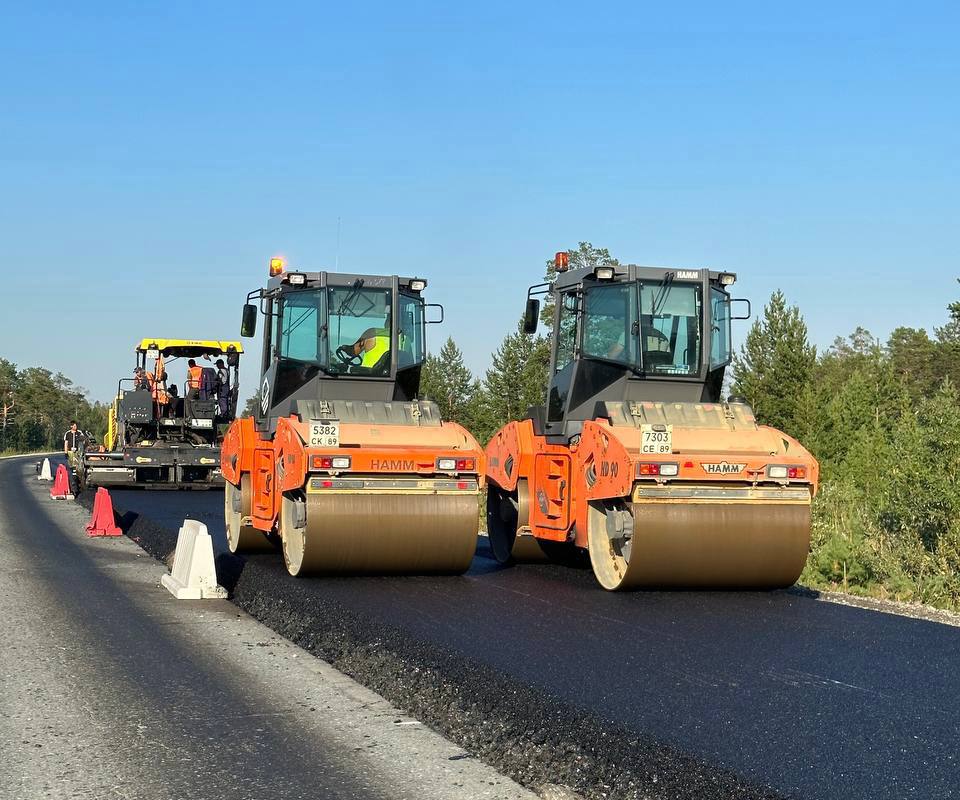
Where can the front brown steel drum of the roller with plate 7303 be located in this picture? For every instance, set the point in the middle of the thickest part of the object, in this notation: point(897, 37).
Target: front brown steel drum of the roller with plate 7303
point(758, 540)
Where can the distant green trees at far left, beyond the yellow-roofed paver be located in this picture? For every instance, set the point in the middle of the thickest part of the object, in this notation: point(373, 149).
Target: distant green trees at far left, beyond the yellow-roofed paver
point(37, 406)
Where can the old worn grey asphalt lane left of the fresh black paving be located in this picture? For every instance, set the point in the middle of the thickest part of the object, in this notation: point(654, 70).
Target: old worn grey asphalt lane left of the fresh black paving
point(110, 688)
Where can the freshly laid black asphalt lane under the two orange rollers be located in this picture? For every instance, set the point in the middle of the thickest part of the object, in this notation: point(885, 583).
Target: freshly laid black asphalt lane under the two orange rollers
point(662, 694)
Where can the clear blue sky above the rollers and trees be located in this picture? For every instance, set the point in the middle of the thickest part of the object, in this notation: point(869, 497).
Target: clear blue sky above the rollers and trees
point(154, 155)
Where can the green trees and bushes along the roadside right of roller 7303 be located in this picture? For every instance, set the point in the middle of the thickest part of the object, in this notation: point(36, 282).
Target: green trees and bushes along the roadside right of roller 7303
point(883, 420)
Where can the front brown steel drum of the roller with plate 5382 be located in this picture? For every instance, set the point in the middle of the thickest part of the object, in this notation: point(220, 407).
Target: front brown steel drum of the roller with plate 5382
point(352, 533)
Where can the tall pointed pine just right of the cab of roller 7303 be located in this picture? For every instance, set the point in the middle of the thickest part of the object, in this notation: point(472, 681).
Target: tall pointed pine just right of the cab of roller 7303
point(775, 364)
